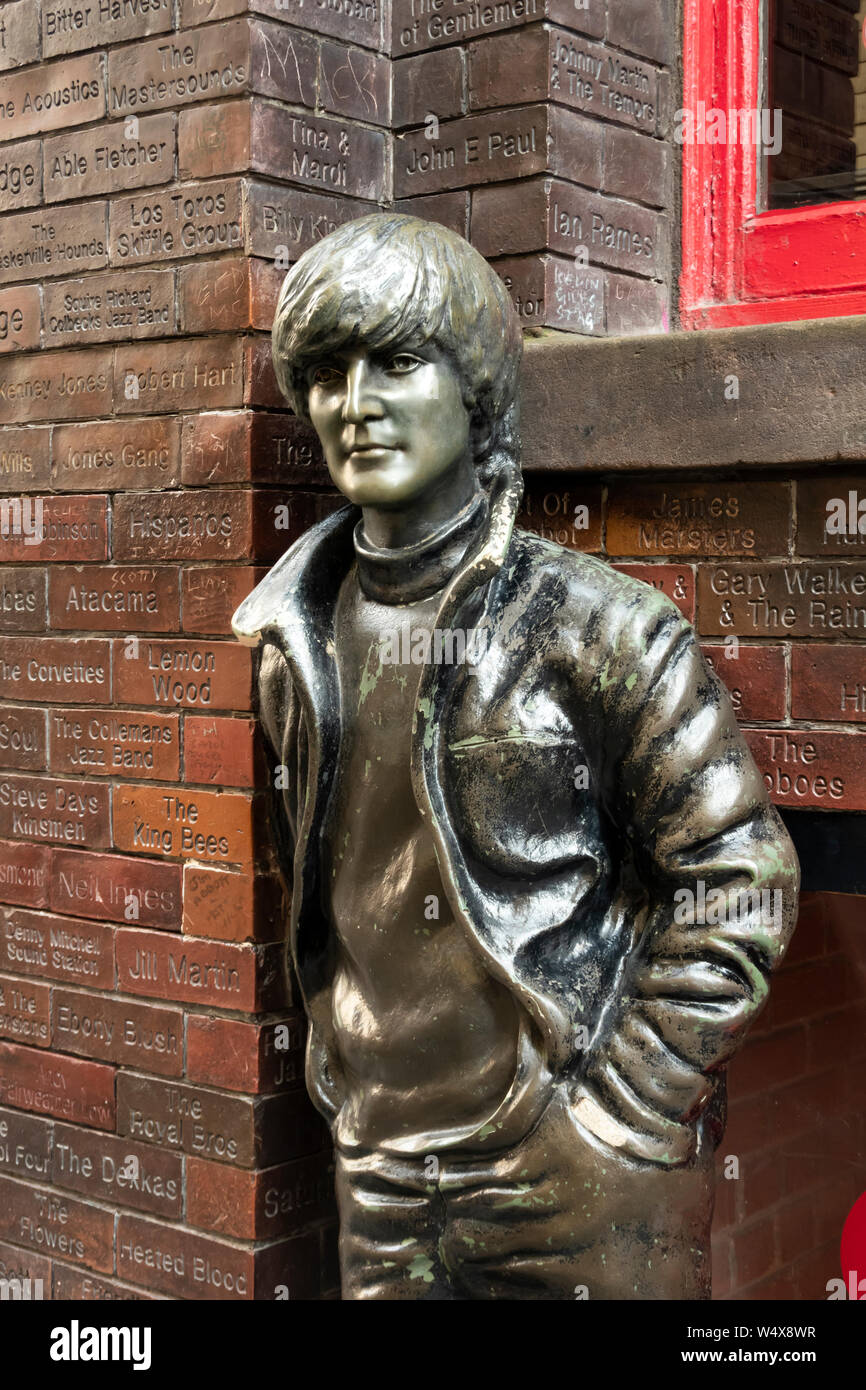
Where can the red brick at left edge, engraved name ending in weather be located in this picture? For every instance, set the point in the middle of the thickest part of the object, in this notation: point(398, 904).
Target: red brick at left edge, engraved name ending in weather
point(62, 1086)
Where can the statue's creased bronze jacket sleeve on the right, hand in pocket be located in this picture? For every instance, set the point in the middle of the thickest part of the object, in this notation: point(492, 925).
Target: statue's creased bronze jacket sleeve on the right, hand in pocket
point(722, 881)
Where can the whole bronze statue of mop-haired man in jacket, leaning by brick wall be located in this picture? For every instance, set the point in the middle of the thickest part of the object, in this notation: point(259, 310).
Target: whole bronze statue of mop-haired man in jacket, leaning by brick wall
point(537, 883)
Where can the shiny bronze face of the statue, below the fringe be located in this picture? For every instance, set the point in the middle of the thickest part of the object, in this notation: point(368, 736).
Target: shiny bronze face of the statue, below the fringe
point(393, 425)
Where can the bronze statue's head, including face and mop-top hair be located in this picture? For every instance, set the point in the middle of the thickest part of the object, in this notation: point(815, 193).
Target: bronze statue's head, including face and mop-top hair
point(402, 347)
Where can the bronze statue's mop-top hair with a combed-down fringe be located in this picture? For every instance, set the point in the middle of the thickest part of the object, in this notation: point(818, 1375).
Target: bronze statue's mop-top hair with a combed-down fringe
point(387, 281)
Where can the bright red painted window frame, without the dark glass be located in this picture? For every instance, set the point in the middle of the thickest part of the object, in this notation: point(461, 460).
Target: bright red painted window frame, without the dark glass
point(742, 266)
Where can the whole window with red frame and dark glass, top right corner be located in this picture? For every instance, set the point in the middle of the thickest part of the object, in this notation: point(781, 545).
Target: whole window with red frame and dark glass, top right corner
point(774, 133)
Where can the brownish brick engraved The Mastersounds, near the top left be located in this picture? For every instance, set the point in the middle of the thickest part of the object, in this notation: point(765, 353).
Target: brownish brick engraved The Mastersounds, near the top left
point(186, 67)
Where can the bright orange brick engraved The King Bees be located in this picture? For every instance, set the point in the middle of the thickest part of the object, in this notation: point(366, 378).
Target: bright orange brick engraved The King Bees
point(201, 825)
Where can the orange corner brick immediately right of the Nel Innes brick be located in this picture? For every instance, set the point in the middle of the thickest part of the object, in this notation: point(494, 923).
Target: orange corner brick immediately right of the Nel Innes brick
point(233, 907)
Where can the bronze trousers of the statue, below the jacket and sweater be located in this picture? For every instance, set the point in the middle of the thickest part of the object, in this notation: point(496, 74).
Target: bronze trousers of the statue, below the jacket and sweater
point(558, 1217)
